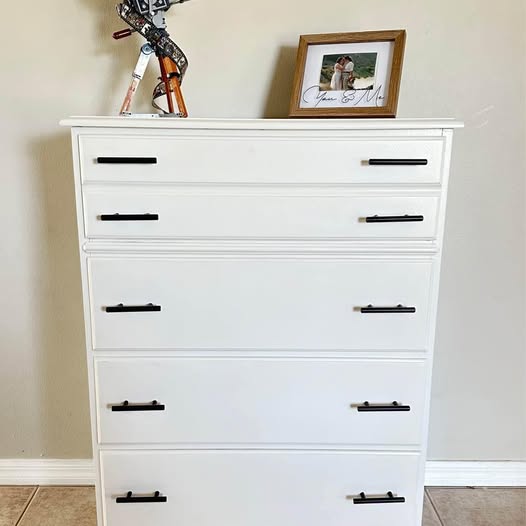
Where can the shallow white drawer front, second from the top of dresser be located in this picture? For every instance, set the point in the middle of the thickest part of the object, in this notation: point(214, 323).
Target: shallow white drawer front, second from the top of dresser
point(143, 213)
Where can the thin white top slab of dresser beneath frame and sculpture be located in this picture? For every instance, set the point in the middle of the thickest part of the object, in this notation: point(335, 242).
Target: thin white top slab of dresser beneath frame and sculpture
point(261, 124)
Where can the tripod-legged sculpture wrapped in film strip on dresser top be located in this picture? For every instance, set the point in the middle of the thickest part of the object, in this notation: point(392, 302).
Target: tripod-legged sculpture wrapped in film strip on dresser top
point(147, 17)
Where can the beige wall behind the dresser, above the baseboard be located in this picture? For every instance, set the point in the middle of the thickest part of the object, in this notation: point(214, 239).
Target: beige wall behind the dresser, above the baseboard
point(464, 59)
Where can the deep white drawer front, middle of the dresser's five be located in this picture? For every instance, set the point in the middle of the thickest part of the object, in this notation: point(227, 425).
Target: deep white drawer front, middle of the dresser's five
point(258, 304)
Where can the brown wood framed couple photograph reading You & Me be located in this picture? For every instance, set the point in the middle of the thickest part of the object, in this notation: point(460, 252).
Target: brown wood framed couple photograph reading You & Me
point(348, 74)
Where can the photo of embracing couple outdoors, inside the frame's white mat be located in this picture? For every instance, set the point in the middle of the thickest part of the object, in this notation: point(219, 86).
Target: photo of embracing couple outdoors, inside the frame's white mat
point(348, 72)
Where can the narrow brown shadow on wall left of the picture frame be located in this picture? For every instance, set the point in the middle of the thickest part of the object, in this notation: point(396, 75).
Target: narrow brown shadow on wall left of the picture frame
point(280, 90)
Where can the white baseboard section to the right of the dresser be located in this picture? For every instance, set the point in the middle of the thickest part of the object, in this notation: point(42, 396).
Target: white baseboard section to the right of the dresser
point(461, 473)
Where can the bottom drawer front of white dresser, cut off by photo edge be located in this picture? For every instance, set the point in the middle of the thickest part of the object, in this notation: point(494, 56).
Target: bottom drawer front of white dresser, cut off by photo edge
point(208, 488)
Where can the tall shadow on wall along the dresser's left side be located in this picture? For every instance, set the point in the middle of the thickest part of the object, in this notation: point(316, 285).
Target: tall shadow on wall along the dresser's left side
point(64, 390)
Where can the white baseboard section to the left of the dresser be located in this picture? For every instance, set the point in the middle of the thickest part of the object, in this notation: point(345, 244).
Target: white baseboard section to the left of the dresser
point(28, 472)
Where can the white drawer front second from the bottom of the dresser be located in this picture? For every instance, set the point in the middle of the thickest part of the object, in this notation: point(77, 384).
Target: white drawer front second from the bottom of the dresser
point(259, 401)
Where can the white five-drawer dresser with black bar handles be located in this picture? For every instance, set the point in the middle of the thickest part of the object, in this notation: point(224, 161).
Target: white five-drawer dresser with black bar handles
point(260, 300)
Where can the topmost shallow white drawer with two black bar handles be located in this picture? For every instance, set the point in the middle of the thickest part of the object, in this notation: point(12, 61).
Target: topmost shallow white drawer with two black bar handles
point(271, 160)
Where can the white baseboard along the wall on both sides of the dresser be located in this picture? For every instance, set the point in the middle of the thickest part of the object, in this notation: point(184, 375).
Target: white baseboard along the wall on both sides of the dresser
point(20, 472)
